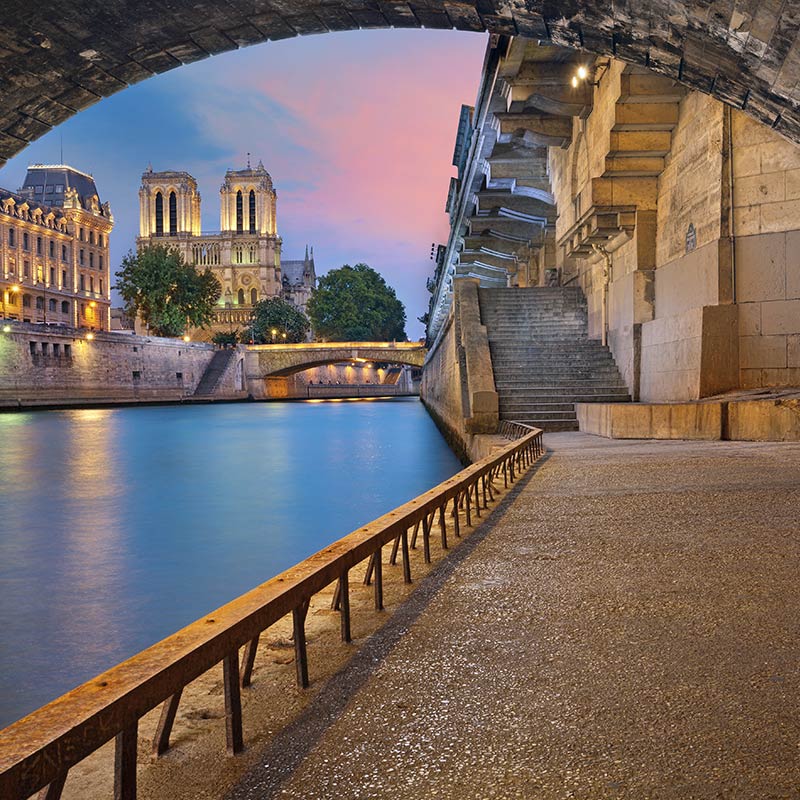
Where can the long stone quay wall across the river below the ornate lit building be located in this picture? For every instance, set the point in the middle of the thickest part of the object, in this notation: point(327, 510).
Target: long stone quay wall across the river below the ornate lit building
point(58, 366)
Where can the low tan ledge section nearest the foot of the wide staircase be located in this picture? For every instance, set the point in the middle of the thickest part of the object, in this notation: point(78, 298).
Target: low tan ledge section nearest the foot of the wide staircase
point(651, 420)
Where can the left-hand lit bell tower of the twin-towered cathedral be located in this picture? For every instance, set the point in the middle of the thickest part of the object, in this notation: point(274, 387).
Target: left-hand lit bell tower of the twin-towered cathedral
point(169, 204)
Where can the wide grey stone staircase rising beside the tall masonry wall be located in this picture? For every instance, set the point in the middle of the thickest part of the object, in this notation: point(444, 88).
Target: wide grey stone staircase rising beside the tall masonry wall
point(543, 359)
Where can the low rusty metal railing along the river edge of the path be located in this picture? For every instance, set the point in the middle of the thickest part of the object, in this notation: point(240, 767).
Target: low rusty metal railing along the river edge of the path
point(37, 752)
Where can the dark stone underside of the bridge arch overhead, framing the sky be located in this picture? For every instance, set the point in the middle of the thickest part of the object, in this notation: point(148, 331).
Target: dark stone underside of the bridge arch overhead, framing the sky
point(58, 58)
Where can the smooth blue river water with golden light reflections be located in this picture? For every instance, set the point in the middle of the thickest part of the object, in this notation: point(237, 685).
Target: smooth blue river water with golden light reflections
point(120, 526)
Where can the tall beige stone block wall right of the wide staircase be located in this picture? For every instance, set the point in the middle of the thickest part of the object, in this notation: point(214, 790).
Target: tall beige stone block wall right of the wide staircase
point(689, 315)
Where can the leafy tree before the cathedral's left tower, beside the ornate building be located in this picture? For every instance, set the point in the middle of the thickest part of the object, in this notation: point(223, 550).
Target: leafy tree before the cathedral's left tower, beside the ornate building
point(169, 294)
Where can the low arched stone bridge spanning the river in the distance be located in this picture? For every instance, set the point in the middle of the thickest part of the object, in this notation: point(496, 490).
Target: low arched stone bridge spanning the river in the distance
point(269, 365)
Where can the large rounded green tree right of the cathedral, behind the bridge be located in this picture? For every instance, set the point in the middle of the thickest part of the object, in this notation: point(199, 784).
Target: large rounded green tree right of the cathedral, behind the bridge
point(355, 304)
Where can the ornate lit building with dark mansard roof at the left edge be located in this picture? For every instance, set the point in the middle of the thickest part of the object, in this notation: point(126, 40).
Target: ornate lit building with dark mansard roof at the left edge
point(54, 251)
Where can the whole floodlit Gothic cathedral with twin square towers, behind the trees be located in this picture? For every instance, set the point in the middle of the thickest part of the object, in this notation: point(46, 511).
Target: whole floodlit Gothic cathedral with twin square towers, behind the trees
point(245, 254)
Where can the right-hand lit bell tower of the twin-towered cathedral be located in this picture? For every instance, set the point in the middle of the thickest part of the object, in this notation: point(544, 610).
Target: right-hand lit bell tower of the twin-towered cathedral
point(248, 202)
